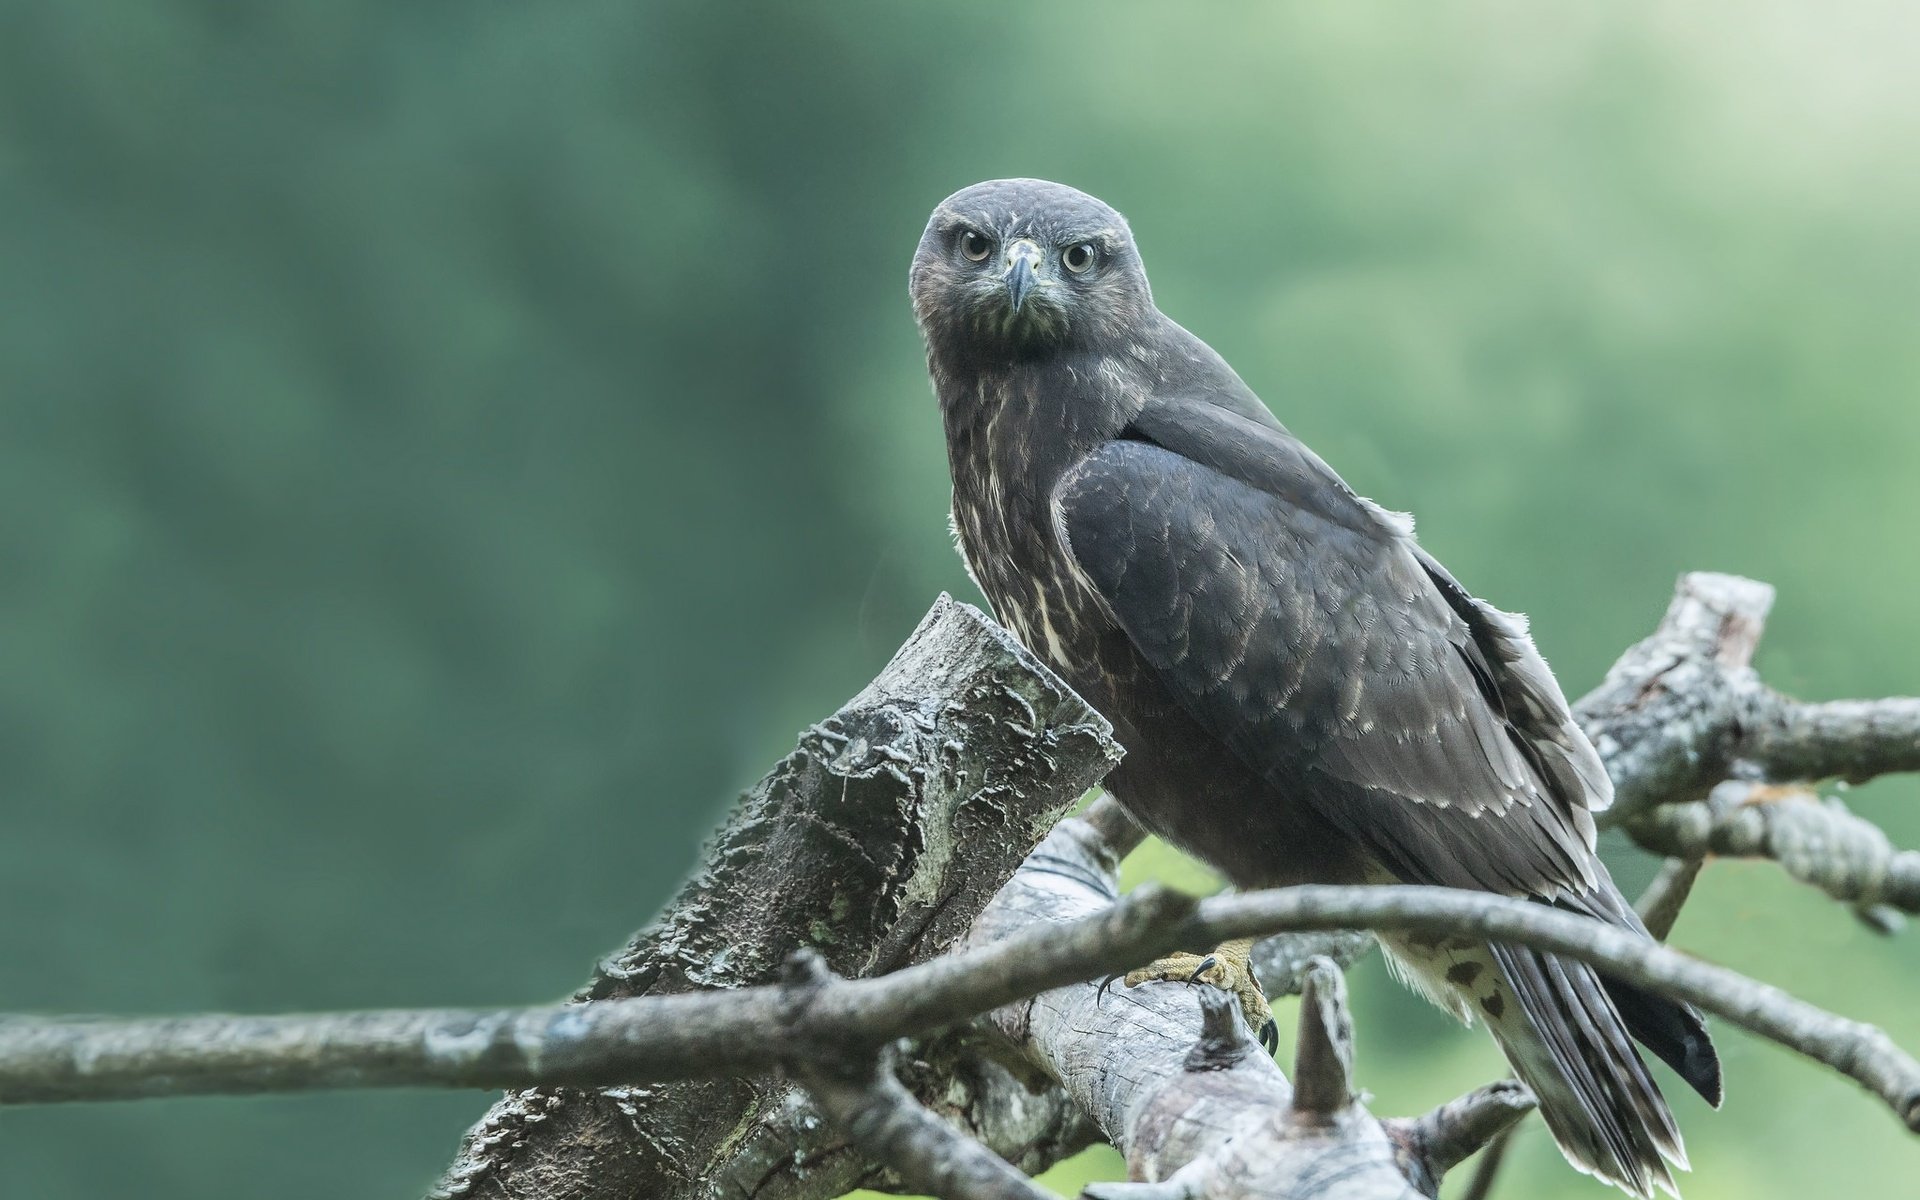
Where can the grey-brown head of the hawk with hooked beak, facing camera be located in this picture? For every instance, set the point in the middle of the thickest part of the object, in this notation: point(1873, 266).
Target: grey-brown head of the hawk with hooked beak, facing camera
point(1019, 266)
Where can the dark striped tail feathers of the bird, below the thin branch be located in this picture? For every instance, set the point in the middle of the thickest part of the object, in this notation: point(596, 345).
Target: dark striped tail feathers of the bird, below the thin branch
point(1570, 1044)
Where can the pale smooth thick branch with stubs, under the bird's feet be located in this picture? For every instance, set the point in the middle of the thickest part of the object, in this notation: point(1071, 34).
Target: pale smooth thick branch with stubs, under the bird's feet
point(1176, 1080)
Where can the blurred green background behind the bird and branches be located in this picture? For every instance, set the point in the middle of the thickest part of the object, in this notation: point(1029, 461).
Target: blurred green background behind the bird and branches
point(446, 450)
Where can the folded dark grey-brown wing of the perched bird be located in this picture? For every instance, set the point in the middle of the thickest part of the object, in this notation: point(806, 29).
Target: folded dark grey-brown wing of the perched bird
point(1303, 627)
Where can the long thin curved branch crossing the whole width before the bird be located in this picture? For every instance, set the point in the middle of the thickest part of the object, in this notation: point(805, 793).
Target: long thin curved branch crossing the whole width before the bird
point(742, 1032)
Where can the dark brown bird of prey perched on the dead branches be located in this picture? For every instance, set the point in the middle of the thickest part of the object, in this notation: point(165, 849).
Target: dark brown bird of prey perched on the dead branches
point(1305, 694)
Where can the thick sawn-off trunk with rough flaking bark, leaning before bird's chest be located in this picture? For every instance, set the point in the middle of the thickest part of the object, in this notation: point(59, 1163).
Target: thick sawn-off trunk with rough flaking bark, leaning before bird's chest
point(875, 844)
